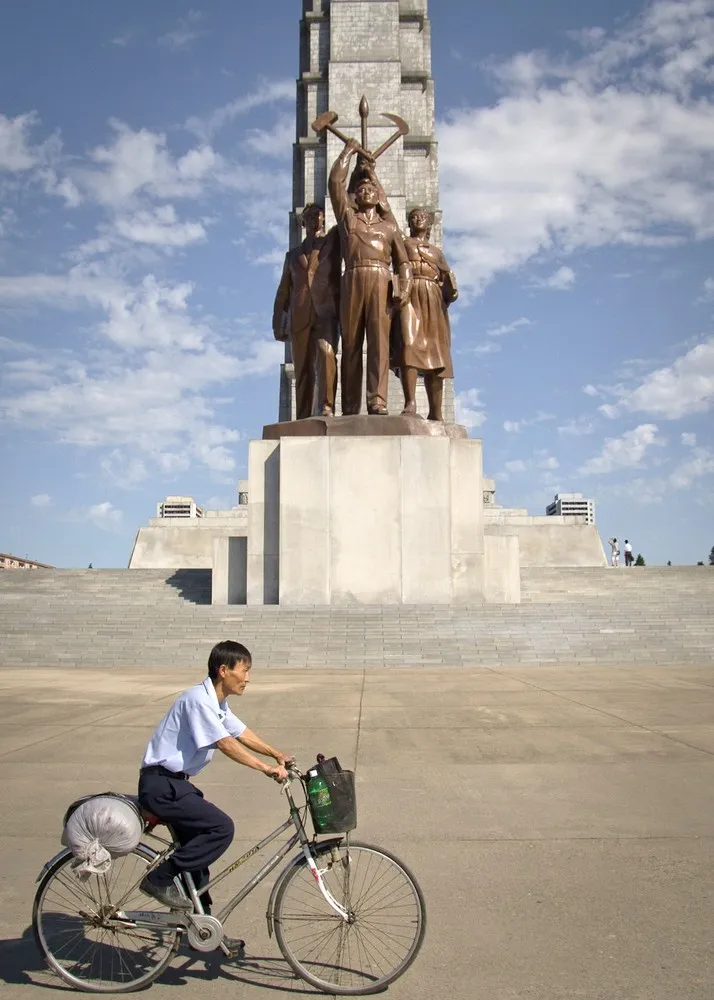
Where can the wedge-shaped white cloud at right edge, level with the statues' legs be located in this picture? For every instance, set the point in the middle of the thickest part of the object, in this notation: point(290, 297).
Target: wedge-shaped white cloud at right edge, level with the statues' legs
point(678, 390)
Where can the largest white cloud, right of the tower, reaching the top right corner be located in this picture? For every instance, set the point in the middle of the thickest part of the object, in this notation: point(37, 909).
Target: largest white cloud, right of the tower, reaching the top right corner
point(612, 147)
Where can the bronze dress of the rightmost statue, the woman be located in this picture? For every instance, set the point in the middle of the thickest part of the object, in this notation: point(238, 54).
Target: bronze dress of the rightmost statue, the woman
point(422, 332)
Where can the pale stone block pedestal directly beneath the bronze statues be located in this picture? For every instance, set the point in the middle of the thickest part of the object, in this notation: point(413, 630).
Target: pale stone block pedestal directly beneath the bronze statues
point(366, 520)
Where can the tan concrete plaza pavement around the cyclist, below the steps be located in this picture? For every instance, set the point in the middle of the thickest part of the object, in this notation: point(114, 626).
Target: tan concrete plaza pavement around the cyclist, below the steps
point(559, 820)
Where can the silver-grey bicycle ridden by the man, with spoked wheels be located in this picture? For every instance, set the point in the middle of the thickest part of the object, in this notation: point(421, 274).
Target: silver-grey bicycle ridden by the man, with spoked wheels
point(349, 918)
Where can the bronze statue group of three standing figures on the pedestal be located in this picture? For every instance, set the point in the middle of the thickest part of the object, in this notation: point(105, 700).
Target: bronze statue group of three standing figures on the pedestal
point(363, 279)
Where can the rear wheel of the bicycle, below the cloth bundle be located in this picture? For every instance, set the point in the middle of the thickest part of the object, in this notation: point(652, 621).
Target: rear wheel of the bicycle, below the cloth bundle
point(57, 914)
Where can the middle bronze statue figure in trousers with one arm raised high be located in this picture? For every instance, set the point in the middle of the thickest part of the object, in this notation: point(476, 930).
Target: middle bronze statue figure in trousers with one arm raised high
point(371, 246)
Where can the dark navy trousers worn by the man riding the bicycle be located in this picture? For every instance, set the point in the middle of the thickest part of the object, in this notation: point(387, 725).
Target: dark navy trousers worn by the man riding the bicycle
point(202, 829)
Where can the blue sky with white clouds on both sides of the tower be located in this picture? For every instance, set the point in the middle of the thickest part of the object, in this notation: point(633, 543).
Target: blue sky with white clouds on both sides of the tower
point(145, 181)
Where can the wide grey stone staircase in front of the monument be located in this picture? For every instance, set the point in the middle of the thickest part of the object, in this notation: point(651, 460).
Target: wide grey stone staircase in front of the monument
point(163, 618)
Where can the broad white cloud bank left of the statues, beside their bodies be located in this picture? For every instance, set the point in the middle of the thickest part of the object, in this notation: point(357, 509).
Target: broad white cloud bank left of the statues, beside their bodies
point(145, 398)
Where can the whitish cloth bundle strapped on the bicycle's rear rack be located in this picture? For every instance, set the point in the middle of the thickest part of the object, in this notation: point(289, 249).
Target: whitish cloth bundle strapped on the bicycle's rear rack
point(100, 828)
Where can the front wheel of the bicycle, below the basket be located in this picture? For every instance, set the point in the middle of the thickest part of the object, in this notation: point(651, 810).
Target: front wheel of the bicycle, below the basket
point(385, 930)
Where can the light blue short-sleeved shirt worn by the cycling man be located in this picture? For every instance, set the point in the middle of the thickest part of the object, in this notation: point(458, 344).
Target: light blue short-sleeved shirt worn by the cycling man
point(186, 737)
